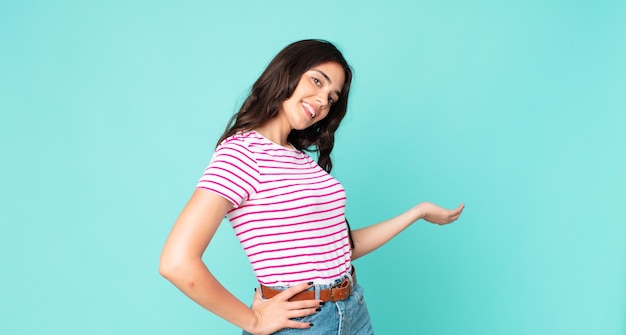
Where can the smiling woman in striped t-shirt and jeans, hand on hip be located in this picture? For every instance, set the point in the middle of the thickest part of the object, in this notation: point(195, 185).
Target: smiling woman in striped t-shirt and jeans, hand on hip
point(286, 210)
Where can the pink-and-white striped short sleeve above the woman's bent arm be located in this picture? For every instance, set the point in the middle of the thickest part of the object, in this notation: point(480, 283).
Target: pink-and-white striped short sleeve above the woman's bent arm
point(232, 172)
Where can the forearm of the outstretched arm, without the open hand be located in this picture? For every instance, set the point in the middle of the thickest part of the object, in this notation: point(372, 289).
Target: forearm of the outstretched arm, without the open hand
point(372, 237)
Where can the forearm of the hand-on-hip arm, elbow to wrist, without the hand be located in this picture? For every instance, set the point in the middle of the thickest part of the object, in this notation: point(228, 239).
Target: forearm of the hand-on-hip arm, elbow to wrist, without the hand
point(195, 281)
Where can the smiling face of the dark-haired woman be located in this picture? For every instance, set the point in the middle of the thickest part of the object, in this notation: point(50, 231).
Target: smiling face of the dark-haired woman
point(318, 89)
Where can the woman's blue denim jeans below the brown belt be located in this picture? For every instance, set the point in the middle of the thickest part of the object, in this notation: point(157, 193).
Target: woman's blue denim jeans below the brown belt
point(344, 317)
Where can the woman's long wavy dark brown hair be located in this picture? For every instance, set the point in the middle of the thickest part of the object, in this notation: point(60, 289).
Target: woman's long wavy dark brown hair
point(278, 82)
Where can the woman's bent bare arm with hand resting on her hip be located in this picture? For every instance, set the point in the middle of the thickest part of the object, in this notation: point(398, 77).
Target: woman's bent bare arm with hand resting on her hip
point(181, 263)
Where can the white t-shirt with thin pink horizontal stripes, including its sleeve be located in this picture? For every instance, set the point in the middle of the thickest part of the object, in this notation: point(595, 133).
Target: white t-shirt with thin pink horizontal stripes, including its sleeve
point(288, 213)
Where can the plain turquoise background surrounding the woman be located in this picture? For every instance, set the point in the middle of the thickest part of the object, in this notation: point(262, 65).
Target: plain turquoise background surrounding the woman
point(110, 111)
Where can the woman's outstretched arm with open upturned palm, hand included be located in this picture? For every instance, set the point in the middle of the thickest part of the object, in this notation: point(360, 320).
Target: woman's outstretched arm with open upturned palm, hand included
point(371, 238)
